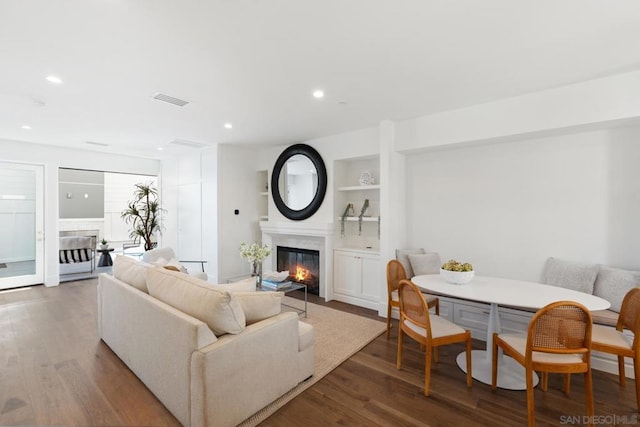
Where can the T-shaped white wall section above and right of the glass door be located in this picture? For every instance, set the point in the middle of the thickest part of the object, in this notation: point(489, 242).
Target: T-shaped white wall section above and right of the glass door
point(53, 158)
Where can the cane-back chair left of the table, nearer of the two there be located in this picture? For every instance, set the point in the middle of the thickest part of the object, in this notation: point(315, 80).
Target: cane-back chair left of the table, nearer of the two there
point(430, 331)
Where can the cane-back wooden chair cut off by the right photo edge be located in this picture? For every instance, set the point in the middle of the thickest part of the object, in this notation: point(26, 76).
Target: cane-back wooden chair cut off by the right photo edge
point(613, 341)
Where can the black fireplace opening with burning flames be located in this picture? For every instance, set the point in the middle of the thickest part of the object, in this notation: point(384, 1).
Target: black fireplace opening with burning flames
point(303, 266)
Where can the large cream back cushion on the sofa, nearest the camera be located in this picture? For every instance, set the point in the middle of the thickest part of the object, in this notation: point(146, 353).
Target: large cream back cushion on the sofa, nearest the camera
point(198, 299)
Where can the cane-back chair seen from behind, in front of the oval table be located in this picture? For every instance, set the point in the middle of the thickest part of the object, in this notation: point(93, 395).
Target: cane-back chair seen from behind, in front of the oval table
point(558, 340)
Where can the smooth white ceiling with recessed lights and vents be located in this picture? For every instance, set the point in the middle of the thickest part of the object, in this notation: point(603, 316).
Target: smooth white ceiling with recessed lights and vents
point(255, 64)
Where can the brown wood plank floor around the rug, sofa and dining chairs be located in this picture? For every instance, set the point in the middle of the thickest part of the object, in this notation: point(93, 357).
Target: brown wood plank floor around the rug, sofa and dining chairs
point(55, 371)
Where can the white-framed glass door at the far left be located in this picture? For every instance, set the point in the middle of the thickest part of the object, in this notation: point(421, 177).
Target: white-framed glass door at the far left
point(21, 225)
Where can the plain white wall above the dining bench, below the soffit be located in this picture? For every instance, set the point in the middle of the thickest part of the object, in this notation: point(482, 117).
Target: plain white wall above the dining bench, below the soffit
point(506, 207)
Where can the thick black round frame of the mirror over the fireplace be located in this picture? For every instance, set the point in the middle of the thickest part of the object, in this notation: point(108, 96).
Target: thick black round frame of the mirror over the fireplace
point(318, 198)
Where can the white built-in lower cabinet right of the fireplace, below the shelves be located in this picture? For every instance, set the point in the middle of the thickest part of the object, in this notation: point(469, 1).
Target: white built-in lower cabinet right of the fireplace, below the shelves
point(356, 277)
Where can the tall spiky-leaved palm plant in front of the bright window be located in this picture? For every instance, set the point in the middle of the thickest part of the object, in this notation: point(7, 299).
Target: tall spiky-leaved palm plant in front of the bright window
point(144, 214)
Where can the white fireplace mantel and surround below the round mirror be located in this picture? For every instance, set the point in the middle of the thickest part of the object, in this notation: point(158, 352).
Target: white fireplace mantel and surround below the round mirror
point(304, 235)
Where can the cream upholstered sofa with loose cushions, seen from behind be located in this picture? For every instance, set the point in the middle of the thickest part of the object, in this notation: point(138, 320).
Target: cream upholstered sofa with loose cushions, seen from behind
point(231, 356)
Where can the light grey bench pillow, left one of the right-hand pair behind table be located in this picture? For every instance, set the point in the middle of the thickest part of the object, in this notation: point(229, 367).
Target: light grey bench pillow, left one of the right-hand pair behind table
point(571, 275)
